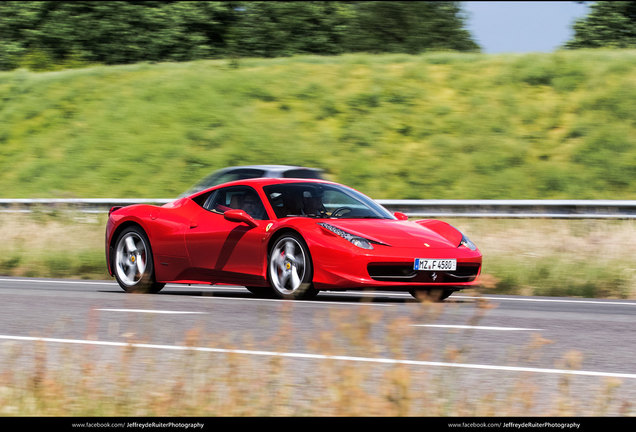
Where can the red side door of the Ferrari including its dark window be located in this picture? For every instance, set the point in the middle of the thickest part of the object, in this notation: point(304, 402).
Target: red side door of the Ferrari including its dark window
point(223, 251)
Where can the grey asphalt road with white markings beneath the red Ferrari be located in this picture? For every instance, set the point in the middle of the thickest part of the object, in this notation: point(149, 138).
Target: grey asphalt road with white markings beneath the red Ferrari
point(486, 343)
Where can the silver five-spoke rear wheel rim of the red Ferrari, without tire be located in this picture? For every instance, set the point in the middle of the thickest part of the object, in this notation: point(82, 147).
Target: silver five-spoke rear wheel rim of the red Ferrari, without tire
point(131, 258)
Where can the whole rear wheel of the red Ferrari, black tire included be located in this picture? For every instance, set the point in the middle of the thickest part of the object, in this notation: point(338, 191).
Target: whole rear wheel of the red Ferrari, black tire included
point(133, 265)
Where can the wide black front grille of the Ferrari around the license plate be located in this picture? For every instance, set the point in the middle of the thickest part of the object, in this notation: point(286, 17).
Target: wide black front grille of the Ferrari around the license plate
point(391, 272)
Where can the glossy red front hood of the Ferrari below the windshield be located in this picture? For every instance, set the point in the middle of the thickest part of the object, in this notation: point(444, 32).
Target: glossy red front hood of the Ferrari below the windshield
point(435, 234)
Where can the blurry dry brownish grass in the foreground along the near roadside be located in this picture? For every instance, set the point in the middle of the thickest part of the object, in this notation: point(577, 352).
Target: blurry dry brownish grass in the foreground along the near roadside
point(40, 379)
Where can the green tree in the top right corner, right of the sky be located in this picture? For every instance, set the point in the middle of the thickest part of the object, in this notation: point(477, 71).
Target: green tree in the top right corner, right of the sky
point(609, 24)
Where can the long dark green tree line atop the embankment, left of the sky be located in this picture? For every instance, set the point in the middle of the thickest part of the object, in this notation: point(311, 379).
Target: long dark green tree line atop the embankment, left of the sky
point(113, 32)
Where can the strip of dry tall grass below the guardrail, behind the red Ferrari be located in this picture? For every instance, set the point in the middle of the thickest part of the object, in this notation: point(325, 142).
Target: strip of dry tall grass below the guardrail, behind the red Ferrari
point(584, 258)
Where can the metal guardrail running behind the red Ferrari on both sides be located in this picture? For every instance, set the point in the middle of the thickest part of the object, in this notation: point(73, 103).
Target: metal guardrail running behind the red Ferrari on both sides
point(551, 209)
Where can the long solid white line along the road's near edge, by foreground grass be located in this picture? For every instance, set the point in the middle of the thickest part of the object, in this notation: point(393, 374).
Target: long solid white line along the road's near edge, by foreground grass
point(323, 357)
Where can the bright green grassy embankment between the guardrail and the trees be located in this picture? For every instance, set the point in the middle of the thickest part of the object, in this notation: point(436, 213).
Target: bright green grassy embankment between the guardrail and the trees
point(436, 125)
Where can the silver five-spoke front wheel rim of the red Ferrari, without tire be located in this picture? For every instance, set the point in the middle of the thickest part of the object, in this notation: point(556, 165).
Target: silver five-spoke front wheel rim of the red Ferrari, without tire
point(287, 266)
